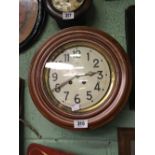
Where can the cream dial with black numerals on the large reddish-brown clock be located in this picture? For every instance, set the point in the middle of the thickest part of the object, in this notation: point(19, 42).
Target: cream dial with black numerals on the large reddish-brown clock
point(78, 75)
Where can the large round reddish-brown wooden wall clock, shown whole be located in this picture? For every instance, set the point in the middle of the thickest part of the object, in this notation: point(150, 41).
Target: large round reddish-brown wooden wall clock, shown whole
point(80, 78)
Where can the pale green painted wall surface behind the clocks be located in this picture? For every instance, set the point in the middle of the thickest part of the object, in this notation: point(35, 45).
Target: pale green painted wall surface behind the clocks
point(107, 16)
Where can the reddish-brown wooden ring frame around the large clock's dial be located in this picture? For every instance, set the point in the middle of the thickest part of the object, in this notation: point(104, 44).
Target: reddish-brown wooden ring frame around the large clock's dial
point(118, 95)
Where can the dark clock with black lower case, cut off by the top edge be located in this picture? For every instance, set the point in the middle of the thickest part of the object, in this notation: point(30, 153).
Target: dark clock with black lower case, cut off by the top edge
point(68, 12)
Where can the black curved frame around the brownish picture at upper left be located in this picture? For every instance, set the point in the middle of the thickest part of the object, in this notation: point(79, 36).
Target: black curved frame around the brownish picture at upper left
point(36, 28)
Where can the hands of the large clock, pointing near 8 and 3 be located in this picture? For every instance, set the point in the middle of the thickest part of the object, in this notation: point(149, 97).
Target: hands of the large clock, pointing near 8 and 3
point(76, 76)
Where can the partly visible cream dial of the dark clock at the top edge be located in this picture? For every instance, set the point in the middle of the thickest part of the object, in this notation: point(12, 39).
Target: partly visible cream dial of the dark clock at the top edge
point(67, 5)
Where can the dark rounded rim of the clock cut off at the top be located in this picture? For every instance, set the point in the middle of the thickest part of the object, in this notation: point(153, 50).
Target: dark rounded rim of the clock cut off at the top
point(58, 14)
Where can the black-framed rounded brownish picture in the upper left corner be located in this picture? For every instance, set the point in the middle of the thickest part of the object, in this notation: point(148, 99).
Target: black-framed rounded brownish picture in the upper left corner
point(31, 17)
